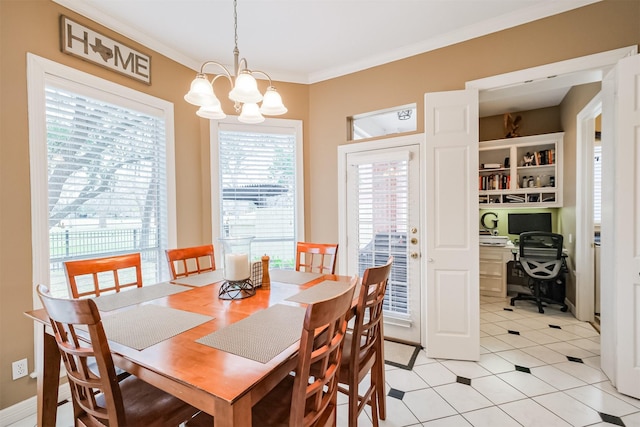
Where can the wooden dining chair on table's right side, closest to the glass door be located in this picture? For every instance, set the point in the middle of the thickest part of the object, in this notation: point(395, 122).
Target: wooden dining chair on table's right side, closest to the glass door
point(364, 348)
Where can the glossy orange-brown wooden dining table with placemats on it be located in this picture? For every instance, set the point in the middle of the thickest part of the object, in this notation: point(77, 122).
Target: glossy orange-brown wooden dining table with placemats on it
point(217, 382)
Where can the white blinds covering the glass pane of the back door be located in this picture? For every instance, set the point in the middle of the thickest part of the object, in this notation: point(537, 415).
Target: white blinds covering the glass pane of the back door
point(383, 199)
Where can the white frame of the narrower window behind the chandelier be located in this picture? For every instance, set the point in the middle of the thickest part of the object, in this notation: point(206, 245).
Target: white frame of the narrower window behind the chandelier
point(269, 125)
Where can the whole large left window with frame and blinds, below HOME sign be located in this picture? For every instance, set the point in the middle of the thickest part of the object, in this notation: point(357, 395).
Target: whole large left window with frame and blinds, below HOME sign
point(106, 186)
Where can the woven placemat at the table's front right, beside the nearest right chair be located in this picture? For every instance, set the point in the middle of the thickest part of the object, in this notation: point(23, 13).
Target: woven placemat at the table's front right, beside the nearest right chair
point(261, 336)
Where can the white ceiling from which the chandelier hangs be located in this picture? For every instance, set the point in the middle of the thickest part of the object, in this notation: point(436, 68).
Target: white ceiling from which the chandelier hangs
point(307, 41)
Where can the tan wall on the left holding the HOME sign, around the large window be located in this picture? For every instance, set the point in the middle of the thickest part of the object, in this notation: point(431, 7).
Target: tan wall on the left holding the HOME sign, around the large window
point(32, 26)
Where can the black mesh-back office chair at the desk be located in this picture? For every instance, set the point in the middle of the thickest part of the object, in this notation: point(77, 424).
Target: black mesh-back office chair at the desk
point(541, 260)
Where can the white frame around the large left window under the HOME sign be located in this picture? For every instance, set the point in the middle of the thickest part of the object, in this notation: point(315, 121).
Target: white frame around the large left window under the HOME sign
point(41, 71)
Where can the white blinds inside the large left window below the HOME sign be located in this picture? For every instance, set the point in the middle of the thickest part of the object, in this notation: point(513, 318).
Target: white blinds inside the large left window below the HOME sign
point(106, 183)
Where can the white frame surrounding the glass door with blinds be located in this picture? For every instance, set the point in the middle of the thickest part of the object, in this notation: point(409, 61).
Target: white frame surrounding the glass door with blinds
point(380, 144)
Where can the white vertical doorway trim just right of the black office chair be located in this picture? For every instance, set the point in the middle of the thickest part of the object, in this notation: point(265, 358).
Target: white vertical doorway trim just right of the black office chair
point(584, 251)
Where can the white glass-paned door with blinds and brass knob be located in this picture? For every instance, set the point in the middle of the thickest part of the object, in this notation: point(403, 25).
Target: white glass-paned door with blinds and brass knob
point(383, 219)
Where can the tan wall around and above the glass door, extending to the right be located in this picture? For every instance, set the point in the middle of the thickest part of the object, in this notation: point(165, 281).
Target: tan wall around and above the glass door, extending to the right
point(599, 27)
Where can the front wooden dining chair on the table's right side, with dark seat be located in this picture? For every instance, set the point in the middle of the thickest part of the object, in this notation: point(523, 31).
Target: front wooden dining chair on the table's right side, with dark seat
point(309, 396)
